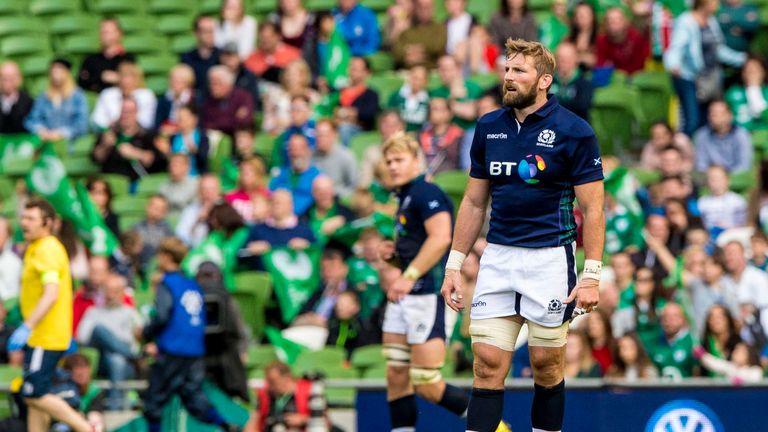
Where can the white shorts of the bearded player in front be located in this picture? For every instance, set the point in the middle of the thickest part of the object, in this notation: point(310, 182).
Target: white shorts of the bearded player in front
point(532, 282)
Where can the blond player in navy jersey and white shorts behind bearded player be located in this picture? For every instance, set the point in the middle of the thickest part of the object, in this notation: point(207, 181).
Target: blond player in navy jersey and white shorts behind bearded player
point(416, 321)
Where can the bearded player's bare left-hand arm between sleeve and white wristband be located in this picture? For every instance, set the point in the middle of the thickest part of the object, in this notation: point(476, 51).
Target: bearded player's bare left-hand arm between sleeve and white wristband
point(471, 215)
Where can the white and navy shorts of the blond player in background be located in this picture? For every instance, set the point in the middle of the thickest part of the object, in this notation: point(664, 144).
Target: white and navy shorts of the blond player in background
point(420, 318)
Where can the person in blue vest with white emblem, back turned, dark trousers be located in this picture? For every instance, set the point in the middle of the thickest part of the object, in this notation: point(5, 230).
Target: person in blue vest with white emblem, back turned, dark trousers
point(178, 329)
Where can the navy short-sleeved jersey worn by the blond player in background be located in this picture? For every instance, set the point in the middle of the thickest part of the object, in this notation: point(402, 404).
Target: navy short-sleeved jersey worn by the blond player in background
point(419, 200)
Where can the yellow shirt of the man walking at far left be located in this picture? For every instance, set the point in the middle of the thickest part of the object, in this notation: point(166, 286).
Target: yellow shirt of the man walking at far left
point(46, 261)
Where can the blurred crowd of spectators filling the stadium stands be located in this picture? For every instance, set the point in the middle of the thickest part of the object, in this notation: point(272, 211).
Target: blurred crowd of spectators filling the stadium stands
point(685, 288)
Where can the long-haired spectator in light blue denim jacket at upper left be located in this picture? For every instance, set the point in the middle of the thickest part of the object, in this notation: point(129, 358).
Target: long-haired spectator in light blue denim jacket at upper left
point(61, 112)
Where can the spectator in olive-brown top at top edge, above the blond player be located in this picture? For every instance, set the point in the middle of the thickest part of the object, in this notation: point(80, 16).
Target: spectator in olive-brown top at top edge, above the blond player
point(424, 41)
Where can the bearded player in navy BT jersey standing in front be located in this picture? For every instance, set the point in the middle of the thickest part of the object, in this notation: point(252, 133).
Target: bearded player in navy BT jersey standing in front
point(531, 156)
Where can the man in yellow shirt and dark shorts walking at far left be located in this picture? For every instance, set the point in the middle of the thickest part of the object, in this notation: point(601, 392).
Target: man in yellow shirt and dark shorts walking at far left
point(46, 305)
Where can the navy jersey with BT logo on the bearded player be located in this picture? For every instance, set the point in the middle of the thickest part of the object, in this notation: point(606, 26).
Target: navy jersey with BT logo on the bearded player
point(532, 168)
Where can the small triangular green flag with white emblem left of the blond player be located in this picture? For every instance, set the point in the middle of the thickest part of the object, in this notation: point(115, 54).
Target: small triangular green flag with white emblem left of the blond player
point(295, 277)
